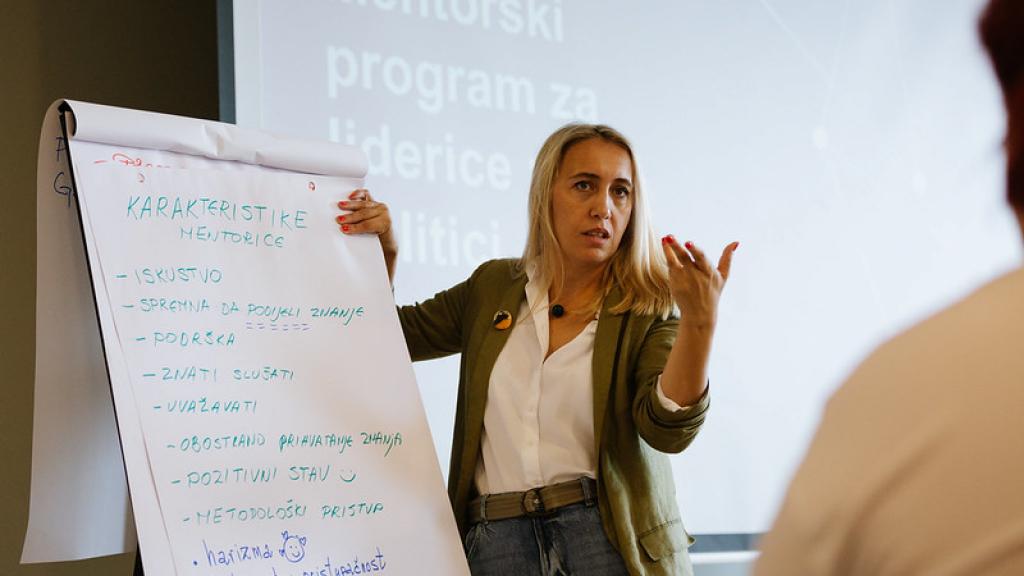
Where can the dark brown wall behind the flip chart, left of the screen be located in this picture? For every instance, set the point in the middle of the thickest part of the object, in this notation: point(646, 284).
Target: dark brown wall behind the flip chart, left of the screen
point(159, 56)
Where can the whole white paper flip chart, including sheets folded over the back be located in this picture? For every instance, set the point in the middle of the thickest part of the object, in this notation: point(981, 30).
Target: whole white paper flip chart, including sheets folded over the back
point(265, 400)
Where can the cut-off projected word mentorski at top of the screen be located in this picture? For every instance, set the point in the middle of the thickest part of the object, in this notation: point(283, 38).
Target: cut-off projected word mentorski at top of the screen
point(534, 19)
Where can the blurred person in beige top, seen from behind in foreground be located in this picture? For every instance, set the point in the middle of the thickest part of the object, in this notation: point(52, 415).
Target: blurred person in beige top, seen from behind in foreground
point(919, 463)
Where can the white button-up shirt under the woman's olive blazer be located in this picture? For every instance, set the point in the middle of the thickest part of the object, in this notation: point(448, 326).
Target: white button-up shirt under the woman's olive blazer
point(539, 421)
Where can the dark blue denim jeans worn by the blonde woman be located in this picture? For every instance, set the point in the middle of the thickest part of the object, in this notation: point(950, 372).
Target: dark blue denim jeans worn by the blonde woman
point(570, 543)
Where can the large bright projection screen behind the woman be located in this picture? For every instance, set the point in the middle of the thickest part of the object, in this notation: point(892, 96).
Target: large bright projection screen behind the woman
point(852, 148)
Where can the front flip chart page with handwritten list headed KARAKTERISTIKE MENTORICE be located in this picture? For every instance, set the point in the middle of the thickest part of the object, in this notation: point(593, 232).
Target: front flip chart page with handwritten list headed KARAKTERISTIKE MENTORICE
point(281, 420)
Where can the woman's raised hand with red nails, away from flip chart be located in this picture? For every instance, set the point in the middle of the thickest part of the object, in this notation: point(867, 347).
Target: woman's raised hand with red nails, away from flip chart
point(696, 285)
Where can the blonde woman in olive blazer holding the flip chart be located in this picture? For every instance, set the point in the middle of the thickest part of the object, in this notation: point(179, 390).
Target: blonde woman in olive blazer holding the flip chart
point(576, 380)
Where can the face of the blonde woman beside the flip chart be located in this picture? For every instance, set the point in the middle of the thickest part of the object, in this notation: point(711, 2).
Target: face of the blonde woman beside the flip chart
point(591, 202)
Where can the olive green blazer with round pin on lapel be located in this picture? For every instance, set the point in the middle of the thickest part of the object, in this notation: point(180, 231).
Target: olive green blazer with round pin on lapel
point(632, 431)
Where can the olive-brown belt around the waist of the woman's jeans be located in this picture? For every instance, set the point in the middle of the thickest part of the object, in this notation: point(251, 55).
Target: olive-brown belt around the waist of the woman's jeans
point(533, 503)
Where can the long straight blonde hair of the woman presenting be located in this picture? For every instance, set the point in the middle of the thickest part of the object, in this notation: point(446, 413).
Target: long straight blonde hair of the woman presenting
point(638, 266)
